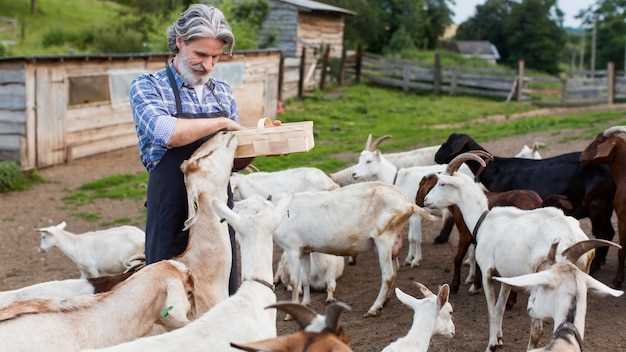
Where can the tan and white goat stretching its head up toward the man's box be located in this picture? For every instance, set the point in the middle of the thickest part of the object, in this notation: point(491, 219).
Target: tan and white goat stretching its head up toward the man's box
point(208, 252)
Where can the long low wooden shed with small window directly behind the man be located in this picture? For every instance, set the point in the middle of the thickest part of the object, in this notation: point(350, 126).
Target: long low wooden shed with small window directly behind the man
point(58, 108)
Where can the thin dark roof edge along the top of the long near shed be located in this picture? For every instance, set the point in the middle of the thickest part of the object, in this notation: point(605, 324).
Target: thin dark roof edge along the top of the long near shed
point(118, 57)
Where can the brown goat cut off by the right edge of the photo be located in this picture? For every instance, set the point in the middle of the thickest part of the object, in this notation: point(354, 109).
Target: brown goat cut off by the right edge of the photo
point(609, 148)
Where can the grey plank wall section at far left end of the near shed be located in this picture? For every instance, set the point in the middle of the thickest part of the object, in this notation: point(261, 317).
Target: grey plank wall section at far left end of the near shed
point(12, 110)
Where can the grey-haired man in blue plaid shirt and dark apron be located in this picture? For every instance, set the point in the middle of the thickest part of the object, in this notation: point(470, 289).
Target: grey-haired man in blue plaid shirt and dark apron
point(175, 110)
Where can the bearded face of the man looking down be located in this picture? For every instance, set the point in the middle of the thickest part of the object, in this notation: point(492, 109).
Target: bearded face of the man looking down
point(198, 57)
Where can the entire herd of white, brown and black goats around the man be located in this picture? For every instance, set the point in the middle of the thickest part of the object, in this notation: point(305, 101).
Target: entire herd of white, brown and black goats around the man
point(516, 218)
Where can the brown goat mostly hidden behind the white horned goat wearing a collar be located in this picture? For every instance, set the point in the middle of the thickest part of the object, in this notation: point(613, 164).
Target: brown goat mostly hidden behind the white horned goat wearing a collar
point(522, 199)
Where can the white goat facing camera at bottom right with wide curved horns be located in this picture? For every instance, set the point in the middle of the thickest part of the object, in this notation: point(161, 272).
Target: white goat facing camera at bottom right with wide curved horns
point(558, 291)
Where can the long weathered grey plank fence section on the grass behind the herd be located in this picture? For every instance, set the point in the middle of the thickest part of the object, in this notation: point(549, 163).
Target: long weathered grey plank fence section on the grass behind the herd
point(411, 75)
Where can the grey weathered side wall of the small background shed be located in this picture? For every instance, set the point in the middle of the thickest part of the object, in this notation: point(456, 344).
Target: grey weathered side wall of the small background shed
point(280, 28)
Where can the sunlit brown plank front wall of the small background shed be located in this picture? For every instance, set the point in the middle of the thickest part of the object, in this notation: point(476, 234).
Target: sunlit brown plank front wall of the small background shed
point(316, 29)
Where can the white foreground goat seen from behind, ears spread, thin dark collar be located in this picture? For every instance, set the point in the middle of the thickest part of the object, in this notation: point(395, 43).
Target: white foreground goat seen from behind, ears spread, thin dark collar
point(241, 317)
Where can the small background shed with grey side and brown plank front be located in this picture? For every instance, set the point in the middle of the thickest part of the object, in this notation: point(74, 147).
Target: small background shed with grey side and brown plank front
point(291, 24)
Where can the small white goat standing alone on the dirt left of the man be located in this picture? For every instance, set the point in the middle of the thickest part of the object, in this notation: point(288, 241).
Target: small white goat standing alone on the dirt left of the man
point(96, 253)
